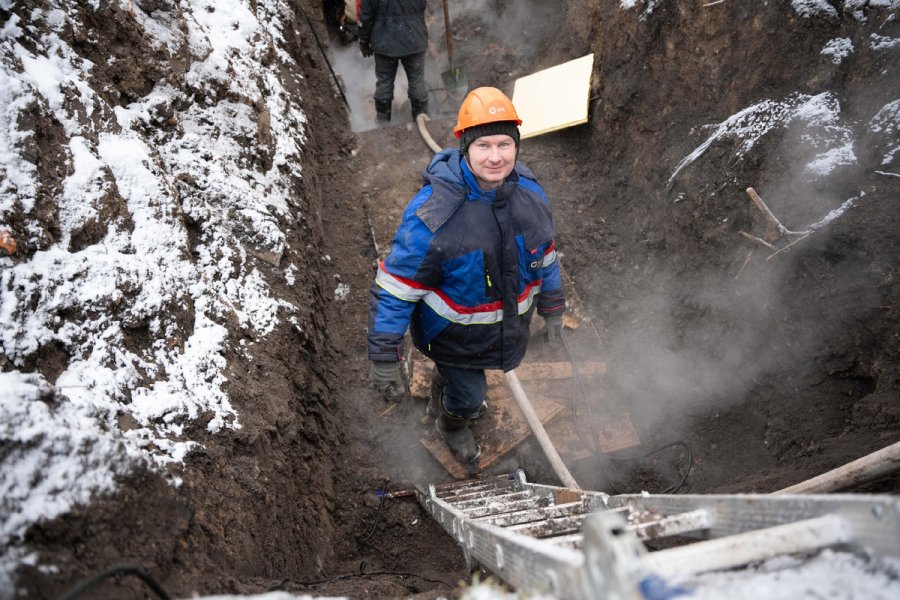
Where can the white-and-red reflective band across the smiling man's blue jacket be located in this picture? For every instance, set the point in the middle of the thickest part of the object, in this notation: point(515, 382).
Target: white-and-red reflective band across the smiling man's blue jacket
point(483, 314)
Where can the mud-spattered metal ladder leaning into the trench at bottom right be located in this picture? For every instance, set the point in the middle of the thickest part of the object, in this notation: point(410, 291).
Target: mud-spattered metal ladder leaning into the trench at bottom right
point(583, 544)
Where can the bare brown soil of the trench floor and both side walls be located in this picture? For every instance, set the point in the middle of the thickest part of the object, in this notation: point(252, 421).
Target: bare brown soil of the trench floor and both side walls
point(770, 371)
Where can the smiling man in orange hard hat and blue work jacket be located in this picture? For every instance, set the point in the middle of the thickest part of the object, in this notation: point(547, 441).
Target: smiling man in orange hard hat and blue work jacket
point(472, 259)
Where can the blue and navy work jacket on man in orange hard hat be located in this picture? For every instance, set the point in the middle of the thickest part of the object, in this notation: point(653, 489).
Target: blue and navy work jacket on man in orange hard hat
point(466, 270)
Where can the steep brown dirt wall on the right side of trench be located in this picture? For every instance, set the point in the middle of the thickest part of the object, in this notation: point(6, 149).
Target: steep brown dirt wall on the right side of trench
point(797, 349)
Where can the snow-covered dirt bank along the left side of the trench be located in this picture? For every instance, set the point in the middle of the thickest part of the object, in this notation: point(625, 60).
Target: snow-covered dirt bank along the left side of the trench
point(62, 438)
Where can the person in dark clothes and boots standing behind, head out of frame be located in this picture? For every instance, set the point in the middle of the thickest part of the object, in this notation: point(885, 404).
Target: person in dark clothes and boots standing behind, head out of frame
point(395, 32)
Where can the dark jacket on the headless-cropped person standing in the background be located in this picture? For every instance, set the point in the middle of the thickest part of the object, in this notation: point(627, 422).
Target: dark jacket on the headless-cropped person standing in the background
point(393, 28)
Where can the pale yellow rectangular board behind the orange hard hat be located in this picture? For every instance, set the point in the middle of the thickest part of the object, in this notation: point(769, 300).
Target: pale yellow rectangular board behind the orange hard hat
point(554, 98)
